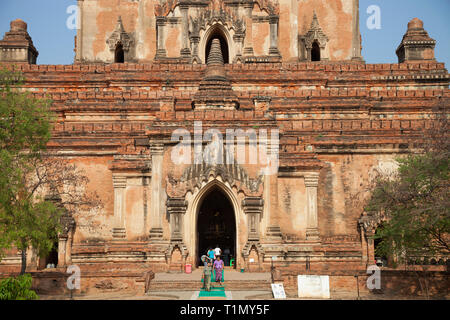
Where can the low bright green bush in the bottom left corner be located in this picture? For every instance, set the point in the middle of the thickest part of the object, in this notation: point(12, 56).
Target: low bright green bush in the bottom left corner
point(18, 288)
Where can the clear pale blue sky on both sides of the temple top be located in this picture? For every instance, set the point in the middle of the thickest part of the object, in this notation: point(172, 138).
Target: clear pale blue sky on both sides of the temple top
point(55, 42)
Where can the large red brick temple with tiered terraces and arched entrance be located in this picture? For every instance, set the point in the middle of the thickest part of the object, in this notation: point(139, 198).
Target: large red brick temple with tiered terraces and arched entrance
point(145, 68)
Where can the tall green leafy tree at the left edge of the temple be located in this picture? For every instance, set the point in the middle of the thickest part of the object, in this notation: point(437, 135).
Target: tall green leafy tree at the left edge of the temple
point(26, 218)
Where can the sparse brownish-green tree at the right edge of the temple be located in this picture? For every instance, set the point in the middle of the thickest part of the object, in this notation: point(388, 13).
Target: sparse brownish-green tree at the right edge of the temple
point(415, 200)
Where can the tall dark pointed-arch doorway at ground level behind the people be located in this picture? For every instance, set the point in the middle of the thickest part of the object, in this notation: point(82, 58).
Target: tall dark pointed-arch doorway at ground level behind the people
point(216, 225)
